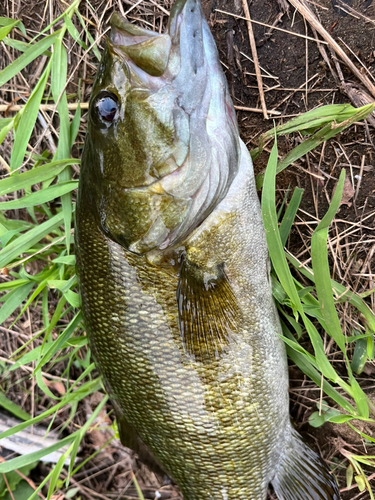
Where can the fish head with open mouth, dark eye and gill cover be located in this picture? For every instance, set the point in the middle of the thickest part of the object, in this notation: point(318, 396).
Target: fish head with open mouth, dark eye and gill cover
point(162, 145)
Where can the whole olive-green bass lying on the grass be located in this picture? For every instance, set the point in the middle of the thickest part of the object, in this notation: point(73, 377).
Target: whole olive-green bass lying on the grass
point(174, 272)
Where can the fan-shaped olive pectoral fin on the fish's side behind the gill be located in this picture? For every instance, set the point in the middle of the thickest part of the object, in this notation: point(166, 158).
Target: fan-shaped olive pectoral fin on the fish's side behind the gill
point(208, 310)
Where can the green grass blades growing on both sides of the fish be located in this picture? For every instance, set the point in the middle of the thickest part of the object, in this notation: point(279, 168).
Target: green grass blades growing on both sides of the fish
point(37, 258)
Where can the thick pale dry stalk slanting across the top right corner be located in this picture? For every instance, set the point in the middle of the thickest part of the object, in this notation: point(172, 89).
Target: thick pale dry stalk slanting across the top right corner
point(310, 17)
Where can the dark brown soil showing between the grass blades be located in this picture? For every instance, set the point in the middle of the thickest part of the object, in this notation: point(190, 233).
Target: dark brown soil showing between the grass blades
point(287, 62)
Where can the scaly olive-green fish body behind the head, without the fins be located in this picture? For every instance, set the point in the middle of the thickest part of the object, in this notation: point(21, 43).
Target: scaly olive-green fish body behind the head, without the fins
point(215, 425)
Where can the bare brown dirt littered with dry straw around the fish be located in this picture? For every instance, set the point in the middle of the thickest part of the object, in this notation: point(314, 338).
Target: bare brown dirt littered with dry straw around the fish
point(298, 75)
